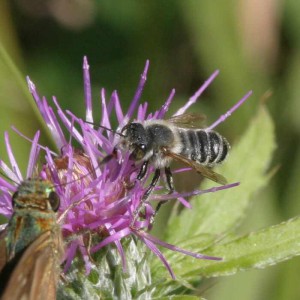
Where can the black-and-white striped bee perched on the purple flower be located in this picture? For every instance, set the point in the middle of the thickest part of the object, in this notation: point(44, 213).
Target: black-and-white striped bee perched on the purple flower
point(158, 142)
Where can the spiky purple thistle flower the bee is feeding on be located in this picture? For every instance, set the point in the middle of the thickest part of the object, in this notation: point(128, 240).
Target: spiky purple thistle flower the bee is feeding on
point(100, 200)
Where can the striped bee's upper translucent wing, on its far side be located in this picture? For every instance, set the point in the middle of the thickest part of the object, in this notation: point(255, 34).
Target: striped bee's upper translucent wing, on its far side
point(188, 120)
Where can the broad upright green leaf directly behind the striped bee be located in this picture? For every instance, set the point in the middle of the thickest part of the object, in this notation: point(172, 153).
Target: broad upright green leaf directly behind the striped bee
point(219, 213)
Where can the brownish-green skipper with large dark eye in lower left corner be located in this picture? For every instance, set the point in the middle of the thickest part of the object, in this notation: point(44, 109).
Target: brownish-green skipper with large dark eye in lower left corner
point(31, 249)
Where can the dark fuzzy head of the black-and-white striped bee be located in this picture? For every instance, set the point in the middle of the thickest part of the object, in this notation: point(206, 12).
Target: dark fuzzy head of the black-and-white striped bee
point(135, 140)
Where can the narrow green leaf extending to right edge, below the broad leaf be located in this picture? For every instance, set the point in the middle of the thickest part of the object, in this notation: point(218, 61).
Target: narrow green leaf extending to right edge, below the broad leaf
point(257, 250)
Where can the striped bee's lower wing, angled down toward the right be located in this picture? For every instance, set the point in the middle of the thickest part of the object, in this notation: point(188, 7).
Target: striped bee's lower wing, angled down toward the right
point(206, 172)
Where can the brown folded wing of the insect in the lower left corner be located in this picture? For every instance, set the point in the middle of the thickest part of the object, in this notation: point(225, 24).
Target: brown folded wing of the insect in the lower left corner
point(36, 273)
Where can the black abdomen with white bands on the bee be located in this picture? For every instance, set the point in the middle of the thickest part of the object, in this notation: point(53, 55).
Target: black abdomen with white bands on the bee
point(206, 147)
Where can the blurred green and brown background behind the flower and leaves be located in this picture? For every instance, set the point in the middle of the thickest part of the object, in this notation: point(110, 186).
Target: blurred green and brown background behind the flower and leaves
point(255, 44)
